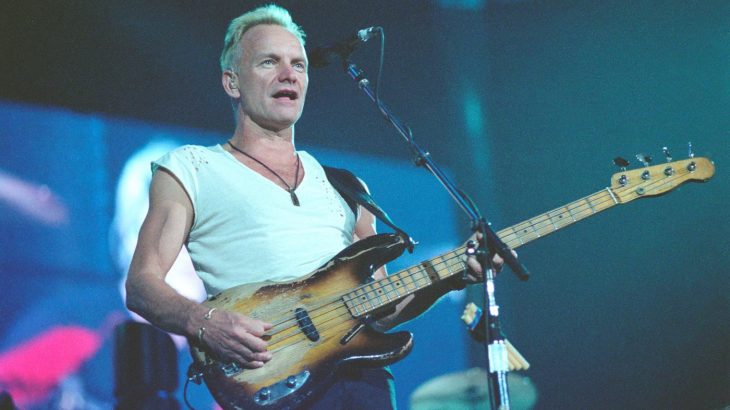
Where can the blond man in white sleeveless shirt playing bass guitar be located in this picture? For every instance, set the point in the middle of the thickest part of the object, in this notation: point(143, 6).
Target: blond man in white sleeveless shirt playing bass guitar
point(253, 209)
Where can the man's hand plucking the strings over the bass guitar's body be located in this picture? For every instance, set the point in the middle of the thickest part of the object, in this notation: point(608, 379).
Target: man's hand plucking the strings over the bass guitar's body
point(233, 337)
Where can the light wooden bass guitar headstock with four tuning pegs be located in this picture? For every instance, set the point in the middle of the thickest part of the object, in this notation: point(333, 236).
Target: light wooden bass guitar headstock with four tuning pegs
point(659, 179)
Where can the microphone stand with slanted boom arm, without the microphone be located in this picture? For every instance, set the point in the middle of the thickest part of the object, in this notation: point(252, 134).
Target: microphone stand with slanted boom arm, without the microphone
point(491, 244)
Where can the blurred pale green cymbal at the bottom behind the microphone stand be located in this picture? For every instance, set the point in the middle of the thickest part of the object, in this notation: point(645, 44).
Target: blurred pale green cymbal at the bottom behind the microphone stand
point(468, 389)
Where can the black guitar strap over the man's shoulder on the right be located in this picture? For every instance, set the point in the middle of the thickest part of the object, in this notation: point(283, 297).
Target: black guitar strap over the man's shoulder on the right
point(354, 193)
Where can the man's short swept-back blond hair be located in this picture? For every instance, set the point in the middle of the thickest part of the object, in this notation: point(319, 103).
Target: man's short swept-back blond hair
point(269, 14)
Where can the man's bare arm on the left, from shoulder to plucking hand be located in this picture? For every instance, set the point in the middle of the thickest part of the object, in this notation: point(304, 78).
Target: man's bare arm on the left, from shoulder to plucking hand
point(230, 336)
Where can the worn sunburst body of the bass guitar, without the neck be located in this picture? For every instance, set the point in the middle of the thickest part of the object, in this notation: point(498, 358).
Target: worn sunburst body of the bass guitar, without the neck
point(311, 323)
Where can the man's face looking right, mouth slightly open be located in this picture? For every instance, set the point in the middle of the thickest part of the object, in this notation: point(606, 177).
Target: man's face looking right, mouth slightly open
point(273, 77)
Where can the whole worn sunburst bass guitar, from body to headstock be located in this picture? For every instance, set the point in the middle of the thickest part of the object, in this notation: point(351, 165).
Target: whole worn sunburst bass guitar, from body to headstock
point(321, 322)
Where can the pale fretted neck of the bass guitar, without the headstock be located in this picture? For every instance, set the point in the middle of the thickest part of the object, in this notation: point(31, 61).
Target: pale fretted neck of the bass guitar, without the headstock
point(375, 295)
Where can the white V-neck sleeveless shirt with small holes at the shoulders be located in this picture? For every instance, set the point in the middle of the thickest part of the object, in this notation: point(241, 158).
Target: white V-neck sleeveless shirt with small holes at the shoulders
point(245, 227)
